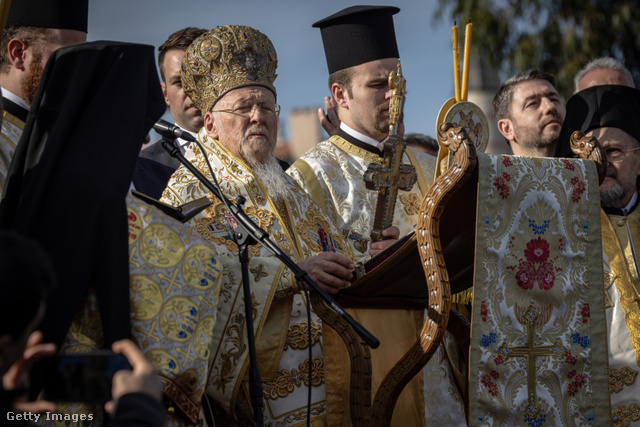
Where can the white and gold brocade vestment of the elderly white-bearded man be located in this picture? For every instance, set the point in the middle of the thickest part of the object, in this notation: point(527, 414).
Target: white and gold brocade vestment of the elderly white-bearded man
point(300, 229)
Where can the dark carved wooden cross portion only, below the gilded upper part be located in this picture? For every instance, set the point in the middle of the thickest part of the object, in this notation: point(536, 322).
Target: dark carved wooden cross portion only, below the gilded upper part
point(389, 177)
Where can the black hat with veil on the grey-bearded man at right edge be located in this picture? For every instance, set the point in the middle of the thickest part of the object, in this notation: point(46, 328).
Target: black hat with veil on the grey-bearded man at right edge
point(601, 106)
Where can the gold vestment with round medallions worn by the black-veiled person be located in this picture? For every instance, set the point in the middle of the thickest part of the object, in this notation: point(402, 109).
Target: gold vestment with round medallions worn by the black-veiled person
point(174, 287)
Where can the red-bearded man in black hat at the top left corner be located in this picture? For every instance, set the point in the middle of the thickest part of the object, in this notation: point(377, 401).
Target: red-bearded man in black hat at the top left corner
point(34, 30)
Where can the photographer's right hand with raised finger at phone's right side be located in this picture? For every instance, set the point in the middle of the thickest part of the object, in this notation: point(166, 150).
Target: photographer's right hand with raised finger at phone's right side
point(142, 379)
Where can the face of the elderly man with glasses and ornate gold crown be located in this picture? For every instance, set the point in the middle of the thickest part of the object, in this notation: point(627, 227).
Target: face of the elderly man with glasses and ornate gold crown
point(245, 123)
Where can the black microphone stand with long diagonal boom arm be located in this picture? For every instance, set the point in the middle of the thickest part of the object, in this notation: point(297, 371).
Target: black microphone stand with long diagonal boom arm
point(248, 233)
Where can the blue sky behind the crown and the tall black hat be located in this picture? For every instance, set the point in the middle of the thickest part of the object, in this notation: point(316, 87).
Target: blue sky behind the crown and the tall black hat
point(425, 45)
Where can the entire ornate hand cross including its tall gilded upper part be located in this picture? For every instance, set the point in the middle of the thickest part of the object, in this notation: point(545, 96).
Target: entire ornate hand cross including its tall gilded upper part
point(391, 174)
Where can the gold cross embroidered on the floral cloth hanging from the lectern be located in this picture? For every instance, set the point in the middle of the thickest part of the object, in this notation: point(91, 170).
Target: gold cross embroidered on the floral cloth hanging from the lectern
point(531, 351)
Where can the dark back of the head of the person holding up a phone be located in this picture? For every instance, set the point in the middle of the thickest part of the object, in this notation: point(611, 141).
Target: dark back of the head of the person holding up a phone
point(26, 277)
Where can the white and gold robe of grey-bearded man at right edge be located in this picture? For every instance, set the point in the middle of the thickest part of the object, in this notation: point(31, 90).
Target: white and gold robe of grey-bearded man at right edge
point(621, 241)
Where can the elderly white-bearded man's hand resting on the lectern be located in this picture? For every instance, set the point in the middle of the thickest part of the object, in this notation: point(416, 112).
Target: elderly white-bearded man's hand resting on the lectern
point(329, 270)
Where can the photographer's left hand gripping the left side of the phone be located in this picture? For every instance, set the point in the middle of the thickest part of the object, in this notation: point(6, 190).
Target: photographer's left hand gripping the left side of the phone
point(18, 374)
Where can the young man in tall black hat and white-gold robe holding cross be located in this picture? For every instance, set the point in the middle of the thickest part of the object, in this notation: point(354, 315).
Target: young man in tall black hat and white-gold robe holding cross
point(361, 51)
